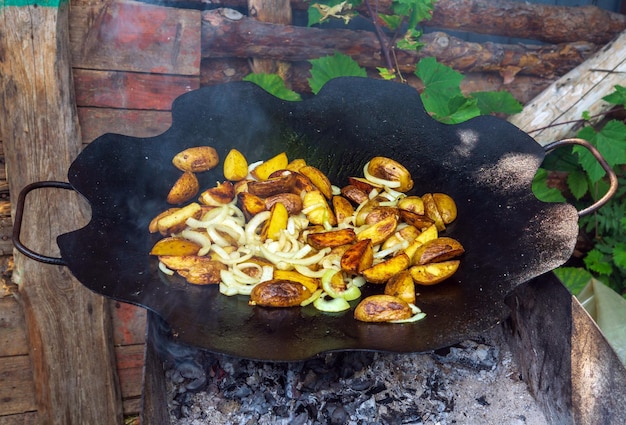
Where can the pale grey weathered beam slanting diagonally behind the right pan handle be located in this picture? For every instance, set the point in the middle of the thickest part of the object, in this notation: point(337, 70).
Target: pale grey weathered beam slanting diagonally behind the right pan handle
point(556, 112)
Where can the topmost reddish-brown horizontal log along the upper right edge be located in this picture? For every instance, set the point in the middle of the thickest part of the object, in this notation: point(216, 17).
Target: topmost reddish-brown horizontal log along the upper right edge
point(517, 19)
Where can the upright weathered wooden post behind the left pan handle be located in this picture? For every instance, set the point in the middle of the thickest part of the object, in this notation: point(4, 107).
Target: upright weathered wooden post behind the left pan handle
point(68, 325)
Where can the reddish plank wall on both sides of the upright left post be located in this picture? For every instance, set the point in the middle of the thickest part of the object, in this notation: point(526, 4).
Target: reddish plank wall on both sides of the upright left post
point(130, 61)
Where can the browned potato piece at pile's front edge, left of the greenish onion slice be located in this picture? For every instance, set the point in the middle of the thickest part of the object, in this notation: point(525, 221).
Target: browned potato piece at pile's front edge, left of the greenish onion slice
point(279, 293)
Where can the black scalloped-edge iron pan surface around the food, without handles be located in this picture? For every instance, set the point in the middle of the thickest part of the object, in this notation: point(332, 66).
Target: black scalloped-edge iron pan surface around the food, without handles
point(485, 164)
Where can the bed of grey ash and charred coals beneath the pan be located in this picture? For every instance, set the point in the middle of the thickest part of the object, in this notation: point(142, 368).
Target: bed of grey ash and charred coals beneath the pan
point(473, 382)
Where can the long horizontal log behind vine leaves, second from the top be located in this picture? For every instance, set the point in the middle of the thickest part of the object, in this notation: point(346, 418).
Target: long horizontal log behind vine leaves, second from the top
point(226, 34)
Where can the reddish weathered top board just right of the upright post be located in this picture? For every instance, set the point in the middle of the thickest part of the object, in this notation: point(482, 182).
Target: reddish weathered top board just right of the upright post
point(132, 36)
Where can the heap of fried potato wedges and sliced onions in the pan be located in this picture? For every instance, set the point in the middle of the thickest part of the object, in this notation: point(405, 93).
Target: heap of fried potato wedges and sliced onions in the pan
point(280, 232)
